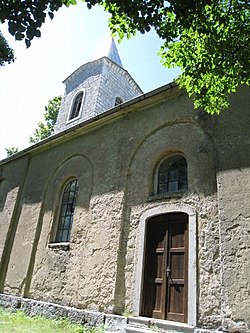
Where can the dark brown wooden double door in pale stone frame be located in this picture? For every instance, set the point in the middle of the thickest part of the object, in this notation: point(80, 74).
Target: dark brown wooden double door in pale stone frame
point(166, 268)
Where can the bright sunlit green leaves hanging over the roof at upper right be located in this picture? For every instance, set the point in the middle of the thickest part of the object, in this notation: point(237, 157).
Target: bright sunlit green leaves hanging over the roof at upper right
point(213, 53)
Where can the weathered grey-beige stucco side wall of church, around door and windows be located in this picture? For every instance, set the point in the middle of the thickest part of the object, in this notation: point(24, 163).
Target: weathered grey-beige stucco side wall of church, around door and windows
point(114, 160)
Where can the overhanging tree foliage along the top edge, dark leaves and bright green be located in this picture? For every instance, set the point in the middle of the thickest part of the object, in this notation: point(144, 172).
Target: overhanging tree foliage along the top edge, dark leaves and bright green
point(208, 39)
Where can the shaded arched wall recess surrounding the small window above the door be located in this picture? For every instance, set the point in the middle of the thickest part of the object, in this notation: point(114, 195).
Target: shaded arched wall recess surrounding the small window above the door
point(184, 139)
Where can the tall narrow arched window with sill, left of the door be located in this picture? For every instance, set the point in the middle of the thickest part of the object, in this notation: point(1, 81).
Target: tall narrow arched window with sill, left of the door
point(67, 211)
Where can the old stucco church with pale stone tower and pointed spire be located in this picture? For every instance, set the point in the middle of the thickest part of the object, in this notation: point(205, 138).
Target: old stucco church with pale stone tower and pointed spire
point(138, 206)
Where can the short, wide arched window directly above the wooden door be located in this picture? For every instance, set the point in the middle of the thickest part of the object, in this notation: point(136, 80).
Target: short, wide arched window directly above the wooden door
point(172, 175)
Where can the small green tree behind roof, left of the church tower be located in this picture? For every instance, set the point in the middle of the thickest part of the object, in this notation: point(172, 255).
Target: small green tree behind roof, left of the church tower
point(44, 130)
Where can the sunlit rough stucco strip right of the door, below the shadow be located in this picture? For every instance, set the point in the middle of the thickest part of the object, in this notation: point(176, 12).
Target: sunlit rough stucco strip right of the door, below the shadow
point(234, 192)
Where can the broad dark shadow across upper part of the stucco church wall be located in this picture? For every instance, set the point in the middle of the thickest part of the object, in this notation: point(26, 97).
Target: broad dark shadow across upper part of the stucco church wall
point(209, 144)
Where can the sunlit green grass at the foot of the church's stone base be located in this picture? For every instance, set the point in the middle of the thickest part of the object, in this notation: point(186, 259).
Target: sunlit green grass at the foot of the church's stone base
point(18, 322)
